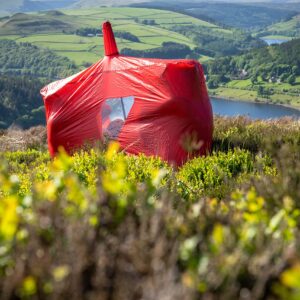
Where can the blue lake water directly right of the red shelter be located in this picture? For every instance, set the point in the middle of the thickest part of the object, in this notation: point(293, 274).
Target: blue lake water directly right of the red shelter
point(251, 109)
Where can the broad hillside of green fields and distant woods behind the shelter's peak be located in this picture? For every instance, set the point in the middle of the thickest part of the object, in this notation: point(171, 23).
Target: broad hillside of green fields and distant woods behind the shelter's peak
point(56, 30)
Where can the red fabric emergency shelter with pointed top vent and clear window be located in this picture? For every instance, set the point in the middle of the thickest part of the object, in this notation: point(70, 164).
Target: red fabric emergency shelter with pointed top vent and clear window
point(149, 106)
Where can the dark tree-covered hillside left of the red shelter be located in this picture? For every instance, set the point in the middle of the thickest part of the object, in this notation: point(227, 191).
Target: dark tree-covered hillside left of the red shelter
point(24, 70)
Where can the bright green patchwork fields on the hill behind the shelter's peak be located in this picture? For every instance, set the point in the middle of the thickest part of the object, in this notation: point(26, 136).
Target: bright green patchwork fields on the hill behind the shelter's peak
point(46, 30)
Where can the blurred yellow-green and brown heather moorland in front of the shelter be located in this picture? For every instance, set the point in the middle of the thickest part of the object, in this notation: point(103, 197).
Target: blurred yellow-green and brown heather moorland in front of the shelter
point(105, 225)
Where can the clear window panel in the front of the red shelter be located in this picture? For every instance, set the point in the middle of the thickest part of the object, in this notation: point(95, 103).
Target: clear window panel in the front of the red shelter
point(114, 113)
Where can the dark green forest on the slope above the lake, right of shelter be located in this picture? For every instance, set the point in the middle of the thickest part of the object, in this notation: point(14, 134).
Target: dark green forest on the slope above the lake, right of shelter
point(277, 61)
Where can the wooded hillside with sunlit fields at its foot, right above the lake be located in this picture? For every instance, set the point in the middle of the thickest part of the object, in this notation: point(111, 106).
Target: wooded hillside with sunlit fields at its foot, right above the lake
point(269, 74)
